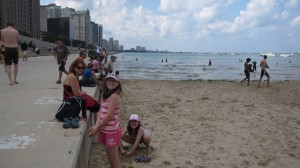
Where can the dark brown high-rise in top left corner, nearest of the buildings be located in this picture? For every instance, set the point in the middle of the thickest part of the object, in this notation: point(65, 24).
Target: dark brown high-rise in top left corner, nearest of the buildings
point(25, 14)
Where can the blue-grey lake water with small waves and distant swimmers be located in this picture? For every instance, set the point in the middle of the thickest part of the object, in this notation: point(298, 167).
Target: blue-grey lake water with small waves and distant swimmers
point(189, 66)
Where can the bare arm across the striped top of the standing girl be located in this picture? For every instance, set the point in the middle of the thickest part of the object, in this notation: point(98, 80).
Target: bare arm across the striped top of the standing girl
point(114, 100)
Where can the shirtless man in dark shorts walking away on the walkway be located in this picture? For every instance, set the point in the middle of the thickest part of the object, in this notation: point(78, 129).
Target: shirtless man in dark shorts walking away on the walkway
point(10, 38)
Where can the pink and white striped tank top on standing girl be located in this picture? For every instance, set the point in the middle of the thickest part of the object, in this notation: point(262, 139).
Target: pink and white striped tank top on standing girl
point(114, 124)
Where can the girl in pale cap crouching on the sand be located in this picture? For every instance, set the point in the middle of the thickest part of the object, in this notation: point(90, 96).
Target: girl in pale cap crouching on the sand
point(135, 134)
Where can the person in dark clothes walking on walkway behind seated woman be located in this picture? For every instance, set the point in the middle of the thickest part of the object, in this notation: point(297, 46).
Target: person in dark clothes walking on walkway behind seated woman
point(61, 54)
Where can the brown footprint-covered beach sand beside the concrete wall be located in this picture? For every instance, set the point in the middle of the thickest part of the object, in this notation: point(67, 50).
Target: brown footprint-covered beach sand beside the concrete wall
point(212, 124)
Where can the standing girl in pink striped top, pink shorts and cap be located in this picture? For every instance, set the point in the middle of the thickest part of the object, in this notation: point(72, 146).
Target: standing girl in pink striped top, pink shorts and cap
point(108, 125)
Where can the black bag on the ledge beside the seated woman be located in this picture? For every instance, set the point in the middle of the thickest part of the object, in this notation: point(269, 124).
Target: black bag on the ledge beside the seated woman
point(70, 108)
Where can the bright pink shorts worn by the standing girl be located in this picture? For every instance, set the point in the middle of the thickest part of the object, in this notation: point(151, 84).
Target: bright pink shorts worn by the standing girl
point(110, 140)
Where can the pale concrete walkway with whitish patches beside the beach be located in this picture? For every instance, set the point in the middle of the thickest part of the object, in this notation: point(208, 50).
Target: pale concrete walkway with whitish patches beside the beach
point(30, 136)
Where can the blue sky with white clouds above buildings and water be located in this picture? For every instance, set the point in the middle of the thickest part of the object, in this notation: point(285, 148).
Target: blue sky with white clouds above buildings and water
point(197, 25)
